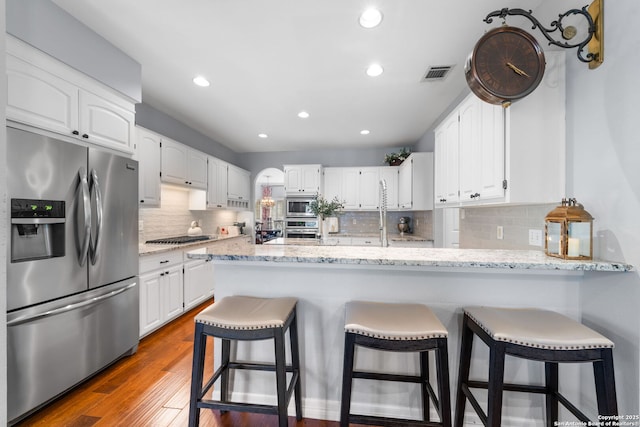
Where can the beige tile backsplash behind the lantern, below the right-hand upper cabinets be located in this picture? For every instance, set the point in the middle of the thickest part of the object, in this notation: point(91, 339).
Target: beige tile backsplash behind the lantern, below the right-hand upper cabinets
point(478, 226)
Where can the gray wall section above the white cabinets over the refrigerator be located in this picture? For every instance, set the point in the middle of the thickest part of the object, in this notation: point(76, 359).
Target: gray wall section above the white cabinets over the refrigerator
point(52, 30)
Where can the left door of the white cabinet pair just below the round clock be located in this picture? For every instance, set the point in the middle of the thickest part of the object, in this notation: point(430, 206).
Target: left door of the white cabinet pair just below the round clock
point(469, 140)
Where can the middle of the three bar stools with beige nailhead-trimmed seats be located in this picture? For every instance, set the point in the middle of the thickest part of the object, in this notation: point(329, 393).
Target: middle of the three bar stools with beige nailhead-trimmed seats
point(396, 327)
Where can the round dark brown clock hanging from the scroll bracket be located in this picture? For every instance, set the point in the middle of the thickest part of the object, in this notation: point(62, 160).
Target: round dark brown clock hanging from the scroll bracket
point(506, 64)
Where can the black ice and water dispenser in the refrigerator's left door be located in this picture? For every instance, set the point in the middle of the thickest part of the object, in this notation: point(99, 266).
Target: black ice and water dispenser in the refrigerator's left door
point(37, 229)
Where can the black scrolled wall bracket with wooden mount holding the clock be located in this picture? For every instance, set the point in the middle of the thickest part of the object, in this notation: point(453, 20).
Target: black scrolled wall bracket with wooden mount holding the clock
point(593, 42)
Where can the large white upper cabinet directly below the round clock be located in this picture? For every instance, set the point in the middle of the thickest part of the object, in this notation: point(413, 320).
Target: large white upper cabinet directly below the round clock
point(514, 155)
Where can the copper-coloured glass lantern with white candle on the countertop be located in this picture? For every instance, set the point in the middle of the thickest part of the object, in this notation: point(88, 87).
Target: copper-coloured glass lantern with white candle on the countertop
point(568, 231)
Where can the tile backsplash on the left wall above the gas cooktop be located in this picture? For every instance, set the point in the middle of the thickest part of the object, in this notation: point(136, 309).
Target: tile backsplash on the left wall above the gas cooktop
point(174, 217)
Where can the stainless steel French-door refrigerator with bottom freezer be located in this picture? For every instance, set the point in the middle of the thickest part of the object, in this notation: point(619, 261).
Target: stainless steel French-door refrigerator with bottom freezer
point(72, 285)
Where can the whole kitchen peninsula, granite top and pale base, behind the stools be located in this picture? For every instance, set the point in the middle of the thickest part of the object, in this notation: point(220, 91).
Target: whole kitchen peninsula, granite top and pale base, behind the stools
point(324, 278)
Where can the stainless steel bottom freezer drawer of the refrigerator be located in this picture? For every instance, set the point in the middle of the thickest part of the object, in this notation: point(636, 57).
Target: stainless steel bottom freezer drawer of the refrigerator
point(54, 346)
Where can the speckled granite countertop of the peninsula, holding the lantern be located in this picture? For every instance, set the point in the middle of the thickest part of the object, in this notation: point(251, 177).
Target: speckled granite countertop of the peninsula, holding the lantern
point(240, 250)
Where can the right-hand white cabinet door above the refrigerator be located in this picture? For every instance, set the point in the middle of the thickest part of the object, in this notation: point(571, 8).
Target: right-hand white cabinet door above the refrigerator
point(104, 122)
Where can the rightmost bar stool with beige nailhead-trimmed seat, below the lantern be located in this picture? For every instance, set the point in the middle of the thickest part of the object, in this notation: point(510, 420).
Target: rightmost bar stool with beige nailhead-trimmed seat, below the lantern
point(532, 334)
